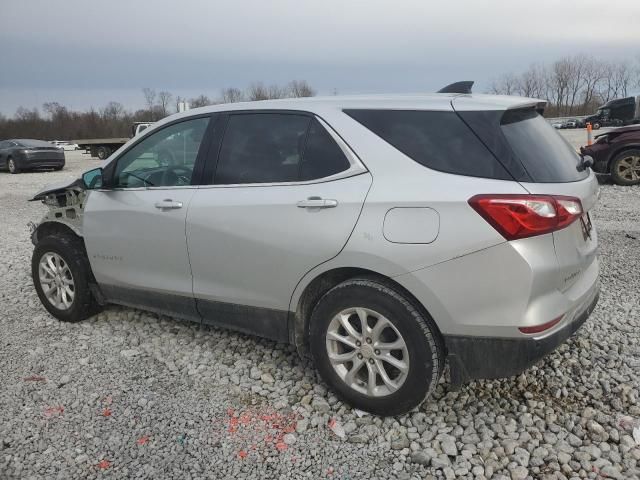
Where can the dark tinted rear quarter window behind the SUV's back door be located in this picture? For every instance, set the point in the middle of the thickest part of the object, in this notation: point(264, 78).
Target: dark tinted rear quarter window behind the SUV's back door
point(438, 140)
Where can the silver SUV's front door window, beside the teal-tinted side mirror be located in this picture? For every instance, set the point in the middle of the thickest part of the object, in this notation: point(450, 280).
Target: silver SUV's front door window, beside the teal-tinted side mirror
point(163, 159)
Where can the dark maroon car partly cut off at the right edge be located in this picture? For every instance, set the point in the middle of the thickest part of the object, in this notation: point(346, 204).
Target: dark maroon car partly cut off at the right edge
point(617, 153)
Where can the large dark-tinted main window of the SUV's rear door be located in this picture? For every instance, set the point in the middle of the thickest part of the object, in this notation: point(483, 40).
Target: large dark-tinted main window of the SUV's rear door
point(262, 148)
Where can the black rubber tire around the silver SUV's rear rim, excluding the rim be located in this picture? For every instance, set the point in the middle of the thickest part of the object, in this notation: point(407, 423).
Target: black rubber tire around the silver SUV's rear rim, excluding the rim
point(422, 338)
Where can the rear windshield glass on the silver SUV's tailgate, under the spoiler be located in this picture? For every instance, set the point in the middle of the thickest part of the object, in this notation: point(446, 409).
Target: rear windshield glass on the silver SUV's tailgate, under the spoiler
point(544, 153)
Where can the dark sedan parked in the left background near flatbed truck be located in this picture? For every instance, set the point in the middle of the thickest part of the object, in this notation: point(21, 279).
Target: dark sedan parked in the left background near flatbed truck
point(26, 154)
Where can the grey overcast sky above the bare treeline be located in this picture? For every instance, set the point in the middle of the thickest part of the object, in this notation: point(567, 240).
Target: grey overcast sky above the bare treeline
point(83, 53)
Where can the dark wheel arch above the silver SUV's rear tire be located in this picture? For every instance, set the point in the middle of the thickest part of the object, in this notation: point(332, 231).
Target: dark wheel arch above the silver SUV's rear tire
point(302, 306)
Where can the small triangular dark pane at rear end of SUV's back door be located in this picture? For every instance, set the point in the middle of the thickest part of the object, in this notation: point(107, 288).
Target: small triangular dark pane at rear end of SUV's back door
point(322, 155)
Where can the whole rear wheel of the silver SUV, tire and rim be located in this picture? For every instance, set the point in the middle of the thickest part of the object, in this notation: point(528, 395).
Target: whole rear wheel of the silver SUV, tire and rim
point(374, 347)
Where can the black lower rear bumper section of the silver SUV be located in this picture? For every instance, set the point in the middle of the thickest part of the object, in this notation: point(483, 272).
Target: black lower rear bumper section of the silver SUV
point(473, 358)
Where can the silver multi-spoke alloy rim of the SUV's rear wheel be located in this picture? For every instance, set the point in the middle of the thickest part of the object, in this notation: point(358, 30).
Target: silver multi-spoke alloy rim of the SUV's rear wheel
point(367, 352)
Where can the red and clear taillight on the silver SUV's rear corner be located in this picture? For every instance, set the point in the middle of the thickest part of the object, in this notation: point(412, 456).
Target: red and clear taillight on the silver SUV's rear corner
point(522, 216)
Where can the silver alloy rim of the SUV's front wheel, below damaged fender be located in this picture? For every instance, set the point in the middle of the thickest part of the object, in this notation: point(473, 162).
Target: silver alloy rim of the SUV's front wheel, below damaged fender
point(56, 281)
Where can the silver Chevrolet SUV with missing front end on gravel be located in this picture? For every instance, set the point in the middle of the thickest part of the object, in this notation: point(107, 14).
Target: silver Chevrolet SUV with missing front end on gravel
point(382, 235)
